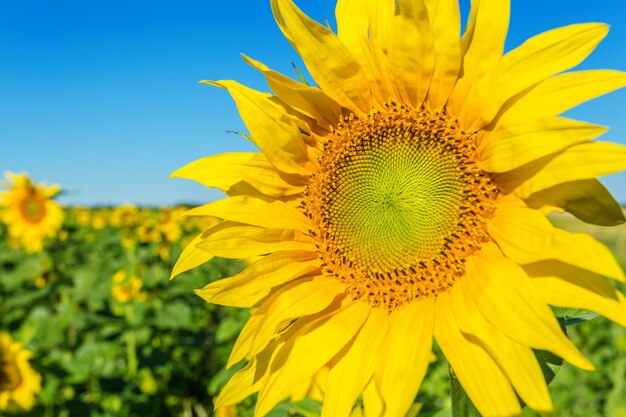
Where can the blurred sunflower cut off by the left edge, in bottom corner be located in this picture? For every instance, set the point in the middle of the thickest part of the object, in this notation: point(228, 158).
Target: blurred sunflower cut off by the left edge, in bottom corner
point(19, 382)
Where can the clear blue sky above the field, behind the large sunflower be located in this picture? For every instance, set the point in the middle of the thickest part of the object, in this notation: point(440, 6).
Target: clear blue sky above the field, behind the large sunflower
point(101, 96)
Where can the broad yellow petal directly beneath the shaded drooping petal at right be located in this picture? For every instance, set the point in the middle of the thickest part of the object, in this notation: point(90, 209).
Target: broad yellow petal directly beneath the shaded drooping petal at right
point(526, 236)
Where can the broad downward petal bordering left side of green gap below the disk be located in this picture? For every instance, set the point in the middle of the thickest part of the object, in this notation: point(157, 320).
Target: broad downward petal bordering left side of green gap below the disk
point(408, 347)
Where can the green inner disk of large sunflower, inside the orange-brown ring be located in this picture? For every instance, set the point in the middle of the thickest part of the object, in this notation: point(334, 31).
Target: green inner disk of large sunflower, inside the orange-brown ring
point(393, 202)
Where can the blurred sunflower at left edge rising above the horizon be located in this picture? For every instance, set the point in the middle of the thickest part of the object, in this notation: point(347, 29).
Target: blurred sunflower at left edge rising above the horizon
point(29, 211)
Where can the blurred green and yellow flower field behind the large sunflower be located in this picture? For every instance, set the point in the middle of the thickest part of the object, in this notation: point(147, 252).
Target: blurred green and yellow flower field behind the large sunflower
point(109, 335)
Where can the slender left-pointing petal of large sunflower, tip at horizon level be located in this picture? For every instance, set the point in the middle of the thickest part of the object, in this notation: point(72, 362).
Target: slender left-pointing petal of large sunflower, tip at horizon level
point(256, 212)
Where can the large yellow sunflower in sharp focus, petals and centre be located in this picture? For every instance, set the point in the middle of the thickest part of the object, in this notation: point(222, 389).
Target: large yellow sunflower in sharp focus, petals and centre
point(402, 201)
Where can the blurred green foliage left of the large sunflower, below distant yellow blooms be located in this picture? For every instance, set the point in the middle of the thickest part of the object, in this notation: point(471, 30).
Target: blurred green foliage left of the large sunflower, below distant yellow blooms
point(153, 356)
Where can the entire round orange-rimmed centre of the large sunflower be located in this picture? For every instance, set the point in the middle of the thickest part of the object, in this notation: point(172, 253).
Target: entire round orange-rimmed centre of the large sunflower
point(398, 204)
